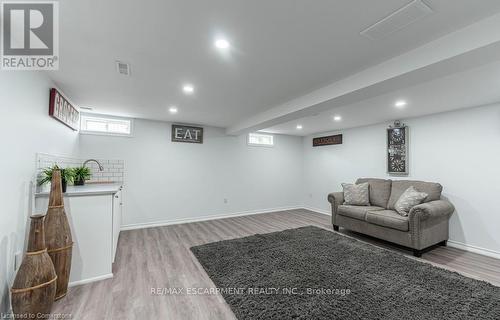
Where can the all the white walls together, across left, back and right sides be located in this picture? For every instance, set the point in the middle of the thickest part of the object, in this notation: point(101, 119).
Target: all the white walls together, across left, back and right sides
point(168, 181)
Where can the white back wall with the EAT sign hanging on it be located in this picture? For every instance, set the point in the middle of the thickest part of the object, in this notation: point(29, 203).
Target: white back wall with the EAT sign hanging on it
point(167, 181)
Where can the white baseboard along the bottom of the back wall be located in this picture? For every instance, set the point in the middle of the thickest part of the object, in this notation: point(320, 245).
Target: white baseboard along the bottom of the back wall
point(203, 218)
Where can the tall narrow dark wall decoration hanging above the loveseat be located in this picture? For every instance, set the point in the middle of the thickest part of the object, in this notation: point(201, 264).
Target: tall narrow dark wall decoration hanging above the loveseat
point(397, 149)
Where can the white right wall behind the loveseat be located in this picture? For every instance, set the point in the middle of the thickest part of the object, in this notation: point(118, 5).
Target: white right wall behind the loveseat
point(460, 150)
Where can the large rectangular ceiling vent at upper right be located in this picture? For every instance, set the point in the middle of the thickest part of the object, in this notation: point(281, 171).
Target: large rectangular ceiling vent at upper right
point(398, 20)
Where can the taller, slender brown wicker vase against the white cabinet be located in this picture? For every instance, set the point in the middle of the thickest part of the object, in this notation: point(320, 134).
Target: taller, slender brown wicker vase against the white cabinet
point(58, 235)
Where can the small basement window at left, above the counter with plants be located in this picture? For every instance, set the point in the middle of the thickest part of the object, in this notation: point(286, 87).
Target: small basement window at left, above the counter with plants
point(104, 125)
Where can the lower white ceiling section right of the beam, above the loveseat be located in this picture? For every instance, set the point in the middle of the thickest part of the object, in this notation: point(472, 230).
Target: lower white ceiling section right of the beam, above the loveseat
point(474, 87)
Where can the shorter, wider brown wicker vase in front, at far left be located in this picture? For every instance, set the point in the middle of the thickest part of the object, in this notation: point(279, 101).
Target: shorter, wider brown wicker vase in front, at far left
point(34, 287)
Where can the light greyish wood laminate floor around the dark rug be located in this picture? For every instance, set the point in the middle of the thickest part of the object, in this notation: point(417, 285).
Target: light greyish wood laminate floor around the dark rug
point(160, 258)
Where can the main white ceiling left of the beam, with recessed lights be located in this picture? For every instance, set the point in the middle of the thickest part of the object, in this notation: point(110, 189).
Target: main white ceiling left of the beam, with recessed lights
point(283, 49)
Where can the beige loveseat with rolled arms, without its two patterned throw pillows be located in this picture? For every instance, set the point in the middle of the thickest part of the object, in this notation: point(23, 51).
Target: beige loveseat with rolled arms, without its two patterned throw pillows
point(425, 226)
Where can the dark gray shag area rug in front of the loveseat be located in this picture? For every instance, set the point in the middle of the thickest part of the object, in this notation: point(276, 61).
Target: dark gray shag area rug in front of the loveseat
point(286, 275)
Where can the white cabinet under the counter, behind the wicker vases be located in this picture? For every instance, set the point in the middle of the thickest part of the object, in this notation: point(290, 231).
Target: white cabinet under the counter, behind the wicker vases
point(94, 215)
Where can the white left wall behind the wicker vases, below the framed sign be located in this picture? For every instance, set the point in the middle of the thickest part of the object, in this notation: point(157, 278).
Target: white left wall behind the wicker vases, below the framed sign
point(25, 128)
